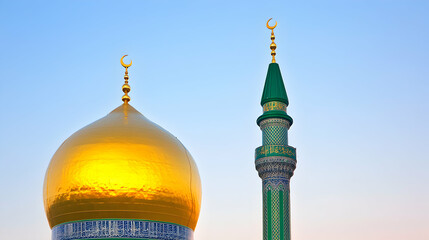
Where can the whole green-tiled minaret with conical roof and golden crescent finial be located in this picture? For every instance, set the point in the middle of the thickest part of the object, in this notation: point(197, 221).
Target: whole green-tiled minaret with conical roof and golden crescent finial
point(275, 160)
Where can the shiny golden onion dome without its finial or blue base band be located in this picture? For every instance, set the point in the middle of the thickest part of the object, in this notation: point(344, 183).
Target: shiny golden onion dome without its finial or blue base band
point(122, 166)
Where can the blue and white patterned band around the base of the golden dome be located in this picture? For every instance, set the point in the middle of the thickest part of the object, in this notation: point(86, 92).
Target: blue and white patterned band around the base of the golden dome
point(118, 229)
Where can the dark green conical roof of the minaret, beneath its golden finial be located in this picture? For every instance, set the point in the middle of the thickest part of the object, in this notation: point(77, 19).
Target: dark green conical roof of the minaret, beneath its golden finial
point(274, 89)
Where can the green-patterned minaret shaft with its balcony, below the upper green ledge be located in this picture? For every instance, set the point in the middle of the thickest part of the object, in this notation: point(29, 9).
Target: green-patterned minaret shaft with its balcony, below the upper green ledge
point(275, 163)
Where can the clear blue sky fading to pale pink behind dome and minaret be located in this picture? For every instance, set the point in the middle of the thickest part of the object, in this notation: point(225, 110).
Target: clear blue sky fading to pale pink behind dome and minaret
point(356, 73)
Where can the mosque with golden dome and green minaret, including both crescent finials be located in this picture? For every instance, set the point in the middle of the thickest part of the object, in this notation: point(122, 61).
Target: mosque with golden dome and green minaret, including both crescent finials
point(125, 177)
